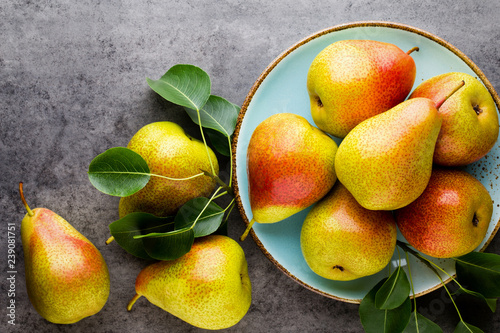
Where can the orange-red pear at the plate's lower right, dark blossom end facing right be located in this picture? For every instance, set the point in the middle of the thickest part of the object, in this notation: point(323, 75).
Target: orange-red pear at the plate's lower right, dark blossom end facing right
point(450, 218)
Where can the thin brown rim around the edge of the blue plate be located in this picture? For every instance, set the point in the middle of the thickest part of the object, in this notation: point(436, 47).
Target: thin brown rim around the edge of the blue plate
point(268, 70)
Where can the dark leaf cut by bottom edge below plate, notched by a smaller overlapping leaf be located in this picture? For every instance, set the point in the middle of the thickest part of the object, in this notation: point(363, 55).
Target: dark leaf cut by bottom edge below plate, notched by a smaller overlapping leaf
point(376, 320)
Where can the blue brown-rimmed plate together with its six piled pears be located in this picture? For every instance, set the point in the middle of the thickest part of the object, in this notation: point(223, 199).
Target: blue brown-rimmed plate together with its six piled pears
point(364, 149)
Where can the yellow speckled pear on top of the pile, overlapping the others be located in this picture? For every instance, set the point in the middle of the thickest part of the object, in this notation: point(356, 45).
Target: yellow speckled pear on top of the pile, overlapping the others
point(386, 161)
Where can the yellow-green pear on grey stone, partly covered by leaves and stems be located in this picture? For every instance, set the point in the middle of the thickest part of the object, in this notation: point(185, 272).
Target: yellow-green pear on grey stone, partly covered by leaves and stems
point(170, 152)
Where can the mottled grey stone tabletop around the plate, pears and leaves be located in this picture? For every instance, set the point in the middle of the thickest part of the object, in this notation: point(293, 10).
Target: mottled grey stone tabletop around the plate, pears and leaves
point(72, 84)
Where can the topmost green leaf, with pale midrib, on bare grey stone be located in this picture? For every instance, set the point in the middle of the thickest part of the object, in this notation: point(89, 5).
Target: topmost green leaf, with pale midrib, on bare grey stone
point(184, 85)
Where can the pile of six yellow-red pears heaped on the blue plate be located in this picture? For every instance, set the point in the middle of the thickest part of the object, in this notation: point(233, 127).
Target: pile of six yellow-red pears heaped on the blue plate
point(399, 164)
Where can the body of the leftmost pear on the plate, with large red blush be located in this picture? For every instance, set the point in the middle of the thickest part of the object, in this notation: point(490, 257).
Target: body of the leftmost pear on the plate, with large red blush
point(290, 166)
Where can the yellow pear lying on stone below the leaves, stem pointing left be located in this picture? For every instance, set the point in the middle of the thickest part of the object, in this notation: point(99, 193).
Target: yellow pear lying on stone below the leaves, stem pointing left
point(208, 287)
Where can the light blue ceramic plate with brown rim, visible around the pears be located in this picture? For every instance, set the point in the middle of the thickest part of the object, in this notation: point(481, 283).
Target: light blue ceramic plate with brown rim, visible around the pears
point(282, 88)
